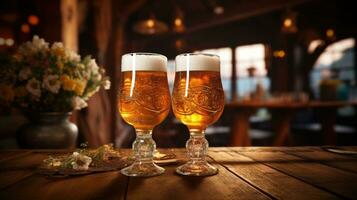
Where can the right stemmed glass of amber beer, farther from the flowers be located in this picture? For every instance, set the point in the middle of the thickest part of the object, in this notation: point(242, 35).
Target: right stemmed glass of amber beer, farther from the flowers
point(197, 101)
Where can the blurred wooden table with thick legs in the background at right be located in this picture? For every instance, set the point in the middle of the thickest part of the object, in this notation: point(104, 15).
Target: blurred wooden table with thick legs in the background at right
point(282, 115)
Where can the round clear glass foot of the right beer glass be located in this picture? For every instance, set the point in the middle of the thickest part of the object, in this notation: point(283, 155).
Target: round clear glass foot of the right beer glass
point(193, 168)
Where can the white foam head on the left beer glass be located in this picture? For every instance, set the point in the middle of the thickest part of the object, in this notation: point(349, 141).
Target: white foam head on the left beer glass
point(143, 62)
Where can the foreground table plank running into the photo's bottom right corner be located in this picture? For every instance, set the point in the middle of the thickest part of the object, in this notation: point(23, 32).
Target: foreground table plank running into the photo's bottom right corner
point(337, 181)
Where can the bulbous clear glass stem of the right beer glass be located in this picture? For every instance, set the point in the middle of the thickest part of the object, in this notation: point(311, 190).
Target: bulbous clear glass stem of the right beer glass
point(197, 146)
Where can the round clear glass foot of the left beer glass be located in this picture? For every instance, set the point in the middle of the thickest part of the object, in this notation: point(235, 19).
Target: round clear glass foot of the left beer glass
point(141, 169)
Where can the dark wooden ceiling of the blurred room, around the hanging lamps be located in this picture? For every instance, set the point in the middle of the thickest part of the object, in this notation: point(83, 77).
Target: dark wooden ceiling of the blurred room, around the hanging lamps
point(243, 21)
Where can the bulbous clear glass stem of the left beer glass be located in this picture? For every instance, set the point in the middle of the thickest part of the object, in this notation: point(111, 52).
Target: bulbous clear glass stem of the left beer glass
point(144, 146)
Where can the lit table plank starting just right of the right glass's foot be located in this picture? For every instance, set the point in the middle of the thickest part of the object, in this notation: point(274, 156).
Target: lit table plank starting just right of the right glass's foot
point(267, 179)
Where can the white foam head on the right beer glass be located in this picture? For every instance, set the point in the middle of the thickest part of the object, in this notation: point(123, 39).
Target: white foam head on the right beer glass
point(197, 62)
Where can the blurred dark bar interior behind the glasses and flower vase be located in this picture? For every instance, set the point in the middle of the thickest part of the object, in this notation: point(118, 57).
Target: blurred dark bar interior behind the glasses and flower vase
point(288, 68)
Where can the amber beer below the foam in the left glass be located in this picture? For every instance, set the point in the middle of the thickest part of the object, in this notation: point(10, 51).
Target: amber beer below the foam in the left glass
point(149, 103)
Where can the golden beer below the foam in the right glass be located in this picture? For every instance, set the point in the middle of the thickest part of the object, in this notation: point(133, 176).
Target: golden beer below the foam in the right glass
point(199, 102)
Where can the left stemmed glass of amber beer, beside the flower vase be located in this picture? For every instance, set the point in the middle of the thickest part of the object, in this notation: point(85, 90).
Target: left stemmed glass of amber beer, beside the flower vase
point(144, 102)
